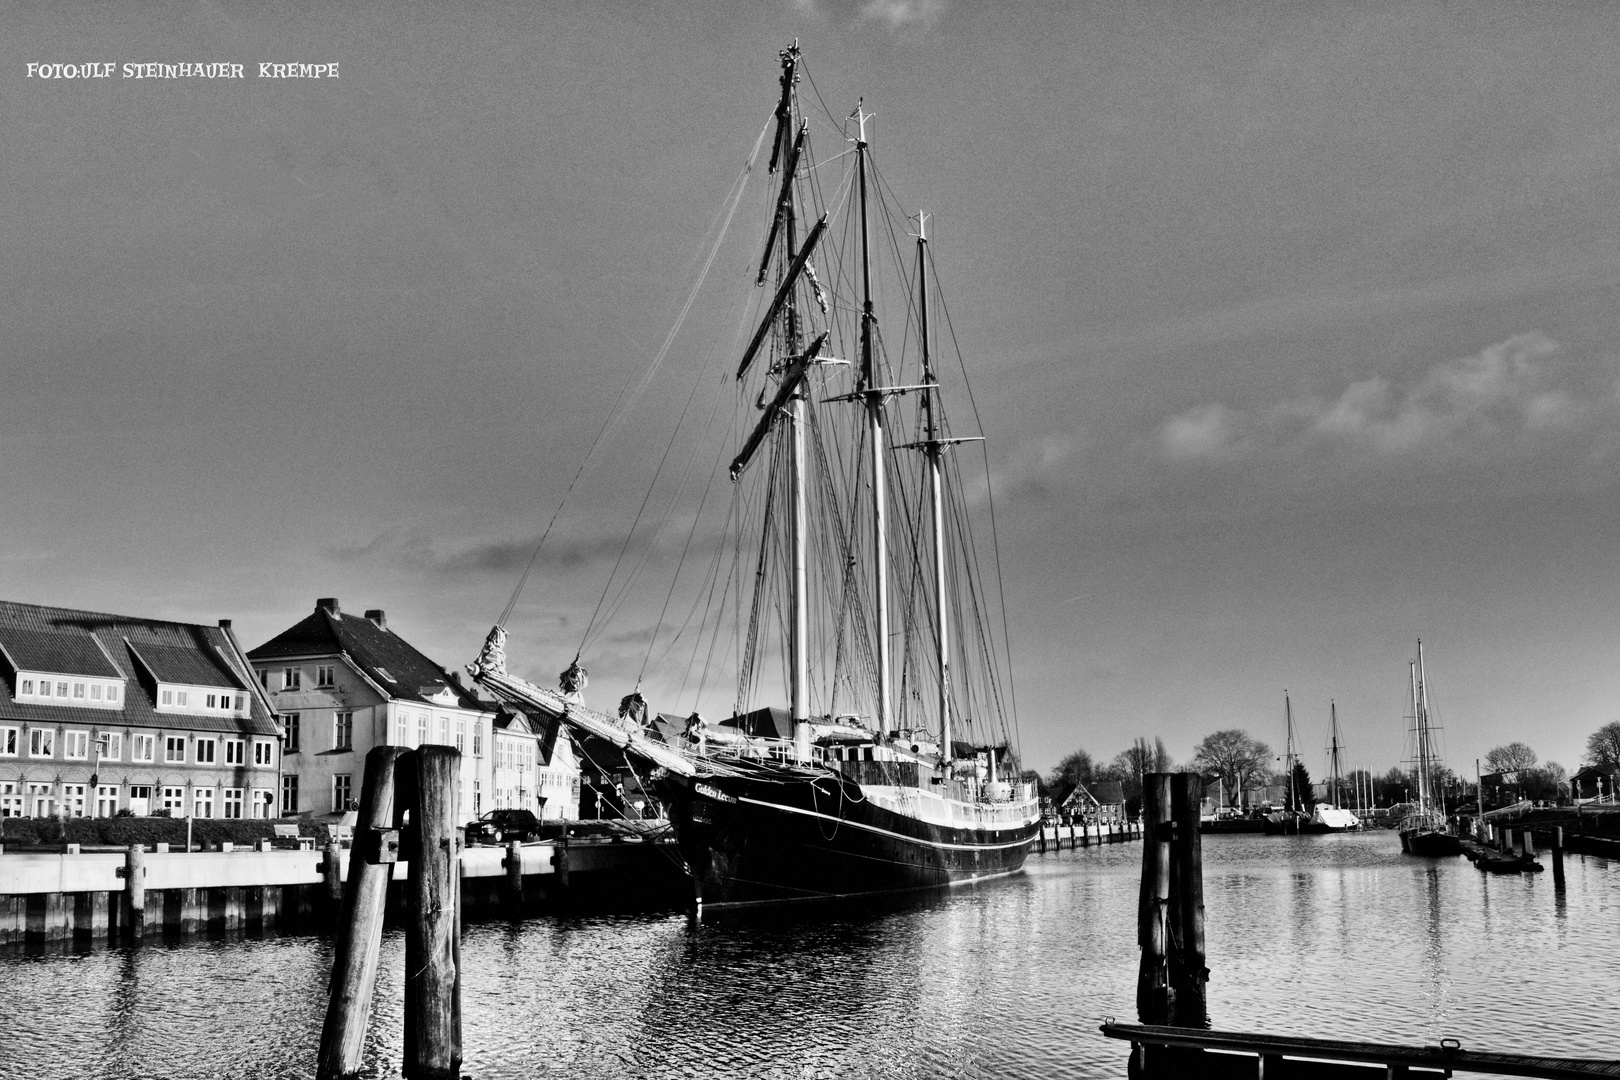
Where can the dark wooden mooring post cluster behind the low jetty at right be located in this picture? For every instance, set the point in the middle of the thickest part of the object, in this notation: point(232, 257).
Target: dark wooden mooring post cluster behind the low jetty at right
point(1170, 914)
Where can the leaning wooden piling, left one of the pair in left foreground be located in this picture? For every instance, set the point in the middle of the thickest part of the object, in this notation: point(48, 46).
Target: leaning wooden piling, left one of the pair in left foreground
point(360, 932)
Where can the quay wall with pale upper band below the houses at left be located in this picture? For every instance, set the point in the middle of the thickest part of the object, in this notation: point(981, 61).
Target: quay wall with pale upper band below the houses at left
point(85, 896)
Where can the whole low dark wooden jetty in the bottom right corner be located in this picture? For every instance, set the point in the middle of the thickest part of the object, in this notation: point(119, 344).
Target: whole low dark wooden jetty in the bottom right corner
point(1166, 1052)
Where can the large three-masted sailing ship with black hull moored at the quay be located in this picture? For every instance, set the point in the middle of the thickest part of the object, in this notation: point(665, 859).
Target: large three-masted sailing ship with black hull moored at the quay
point(853, 579)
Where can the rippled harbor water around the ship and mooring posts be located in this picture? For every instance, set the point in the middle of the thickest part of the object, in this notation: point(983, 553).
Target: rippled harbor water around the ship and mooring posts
point(1337, 937)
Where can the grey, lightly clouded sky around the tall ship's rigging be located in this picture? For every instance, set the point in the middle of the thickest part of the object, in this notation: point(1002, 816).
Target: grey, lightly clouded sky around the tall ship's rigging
point(1292, 330)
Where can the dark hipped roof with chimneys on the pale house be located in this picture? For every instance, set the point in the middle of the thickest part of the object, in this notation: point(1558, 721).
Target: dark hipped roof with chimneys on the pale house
point(386, 658)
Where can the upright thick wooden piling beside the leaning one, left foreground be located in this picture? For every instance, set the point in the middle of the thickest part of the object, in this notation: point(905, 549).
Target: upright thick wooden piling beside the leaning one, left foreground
point(433, 890)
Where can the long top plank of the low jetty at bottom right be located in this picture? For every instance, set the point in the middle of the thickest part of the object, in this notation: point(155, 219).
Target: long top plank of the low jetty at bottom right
point(1443, 1058)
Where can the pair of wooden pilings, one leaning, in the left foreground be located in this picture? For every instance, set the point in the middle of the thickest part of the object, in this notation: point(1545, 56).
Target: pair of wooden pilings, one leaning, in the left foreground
point(425, 786)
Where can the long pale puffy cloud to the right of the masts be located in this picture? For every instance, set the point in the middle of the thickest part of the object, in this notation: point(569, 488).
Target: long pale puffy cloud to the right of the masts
point(1494, 401)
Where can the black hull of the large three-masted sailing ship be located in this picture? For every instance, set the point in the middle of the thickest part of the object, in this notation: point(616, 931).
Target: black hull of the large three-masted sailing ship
point(783, 835)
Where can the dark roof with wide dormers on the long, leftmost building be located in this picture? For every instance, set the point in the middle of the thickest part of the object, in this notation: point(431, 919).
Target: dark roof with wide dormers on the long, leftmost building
point(140, 652)
